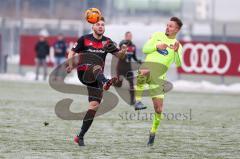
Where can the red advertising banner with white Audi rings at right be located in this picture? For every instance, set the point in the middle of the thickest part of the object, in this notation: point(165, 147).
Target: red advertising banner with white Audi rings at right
point(211, 58)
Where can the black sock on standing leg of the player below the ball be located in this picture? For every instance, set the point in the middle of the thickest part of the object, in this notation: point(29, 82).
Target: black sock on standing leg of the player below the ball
point(87, 122)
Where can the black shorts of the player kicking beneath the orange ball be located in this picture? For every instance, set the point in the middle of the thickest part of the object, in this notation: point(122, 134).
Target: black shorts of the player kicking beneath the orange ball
point(95, 91)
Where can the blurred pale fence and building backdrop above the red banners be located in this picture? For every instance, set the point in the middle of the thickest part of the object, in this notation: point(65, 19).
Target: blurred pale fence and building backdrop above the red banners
point(204, 20)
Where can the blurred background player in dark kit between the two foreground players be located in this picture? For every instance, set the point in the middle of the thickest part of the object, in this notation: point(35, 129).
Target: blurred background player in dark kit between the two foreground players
point(124, 68)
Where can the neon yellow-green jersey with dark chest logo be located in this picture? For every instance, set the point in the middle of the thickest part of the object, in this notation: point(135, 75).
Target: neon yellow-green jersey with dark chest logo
point(165, 57)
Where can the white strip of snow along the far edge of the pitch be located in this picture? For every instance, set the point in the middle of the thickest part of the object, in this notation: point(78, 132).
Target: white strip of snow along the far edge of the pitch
point(179, 85)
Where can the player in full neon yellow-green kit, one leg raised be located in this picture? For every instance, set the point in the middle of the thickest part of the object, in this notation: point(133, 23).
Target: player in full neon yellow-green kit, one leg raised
point(161, 50)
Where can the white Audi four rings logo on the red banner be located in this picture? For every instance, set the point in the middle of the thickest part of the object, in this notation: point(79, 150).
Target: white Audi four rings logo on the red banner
point(204, 58)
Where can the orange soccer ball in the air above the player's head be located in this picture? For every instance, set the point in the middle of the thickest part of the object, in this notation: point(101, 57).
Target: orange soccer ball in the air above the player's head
point(93, 15)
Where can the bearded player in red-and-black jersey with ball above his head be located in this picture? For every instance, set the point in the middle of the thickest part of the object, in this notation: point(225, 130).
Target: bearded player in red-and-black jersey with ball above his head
point(93, 48)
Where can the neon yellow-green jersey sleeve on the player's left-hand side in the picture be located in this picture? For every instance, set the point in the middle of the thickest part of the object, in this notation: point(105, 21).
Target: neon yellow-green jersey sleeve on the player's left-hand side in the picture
point(150, 45)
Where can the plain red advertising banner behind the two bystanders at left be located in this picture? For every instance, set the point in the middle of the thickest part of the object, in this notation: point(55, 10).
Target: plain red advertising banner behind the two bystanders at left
point(27, 47)
